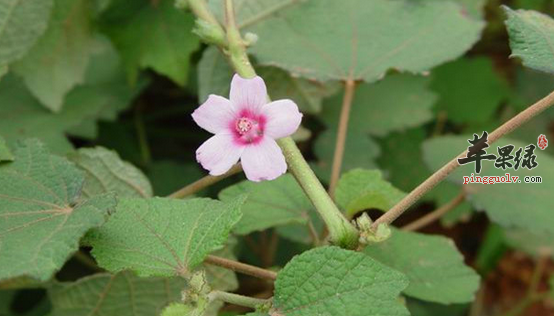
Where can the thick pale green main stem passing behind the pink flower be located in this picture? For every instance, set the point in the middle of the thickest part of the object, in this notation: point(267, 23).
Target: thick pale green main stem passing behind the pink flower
point(341, 232)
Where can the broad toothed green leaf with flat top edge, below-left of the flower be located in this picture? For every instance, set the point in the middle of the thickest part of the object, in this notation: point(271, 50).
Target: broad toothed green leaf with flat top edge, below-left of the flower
point(161, 236)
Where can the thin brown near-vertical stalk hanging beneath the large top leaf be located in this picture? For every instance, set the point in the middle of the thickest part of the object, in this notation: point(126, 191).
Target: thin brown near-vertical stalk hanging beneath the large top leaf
point(350, 86)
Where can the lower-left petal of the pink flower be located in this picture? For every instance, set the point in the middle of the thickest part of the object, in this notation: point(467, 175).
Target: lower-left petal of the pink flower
point(219, 153)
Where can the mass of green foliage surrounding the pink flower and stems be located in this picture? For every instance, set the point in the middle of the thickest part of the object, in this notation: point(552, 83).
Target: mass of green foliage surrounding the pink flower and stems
point(95, 133)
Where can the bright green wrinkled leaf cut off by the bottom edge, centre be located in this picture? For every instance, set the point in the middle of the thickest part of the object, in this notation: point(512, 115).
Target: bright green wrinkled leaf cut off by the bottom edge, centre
point(332, 281)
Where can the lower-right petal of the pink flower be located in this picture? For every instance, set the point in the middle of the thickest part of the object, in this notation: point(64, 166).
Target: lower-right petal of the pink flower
point(263, 161)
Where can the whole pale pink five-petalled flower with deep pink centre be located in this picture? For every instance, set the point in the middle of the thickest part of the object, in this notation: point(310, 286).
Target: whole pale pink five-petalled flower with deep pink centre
point(245, 128)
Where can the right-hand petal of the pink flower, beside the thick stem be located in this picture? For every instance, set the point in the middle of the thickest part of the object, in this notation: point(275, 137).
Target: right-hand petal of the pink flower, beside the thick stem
point(283, 118)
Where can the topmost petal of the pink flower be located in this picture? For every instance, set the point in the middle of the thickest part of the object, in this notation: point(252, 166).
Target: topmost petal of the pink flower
point(249, 94)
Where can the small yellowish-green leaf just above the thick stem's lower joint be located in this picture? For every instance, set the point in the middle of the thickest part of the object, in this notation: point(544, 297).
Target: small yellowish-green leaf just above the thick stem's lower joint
point(361, 189)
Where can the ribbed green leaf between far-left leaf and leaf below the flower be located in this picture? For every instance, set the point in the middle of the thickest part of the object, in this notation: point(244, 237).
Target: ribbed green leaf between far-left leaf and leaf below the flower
point(106, 172)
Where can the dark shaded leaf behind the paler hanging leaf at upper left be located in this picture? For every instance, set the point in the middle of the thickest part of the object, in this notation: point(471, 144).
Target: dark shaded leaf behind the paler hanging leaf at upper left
point(103, 96)
